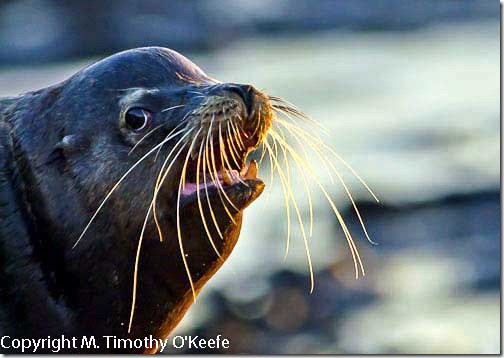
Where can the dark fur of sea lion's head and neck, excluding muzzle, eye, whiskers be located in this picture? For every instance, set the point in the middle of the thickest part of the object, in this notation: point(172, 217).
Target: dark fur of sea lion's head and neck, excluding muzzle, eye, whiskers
point(61, 150)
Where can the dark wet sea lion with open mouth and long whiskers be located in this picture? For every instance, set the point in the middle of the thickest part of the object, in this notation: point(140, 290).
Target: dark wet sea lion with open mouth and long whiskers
point(160, 148)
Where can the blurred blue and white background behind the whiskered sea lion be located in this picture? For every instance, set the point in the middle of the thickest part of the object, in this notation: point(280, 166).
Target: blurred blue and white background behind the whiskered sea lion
point(409, 91)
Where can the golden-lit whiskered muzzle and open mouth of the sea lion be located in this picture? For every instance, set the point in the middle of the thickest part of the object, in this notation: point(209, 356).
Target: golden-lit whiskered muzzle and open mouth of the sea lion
point(230, 128)
